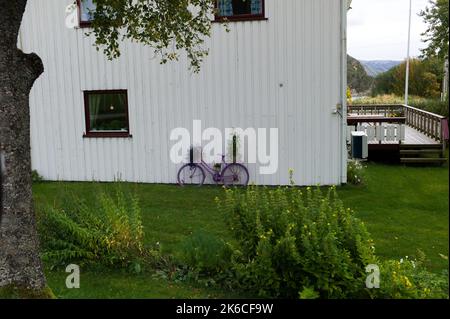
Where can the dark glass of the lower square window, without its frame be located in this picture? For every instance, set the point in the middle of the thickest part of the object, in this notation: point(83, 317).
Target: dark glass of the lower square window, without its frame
point(108, 112)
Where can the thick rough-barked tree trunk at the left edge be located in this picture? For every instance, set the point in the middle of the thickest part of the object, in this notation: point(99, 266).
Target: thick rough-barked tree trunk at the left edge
point(20, 264)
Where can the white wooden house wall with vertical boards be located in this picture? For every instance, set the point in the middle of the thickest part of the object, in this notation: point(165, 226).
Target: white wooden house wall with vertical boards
point(282, 65)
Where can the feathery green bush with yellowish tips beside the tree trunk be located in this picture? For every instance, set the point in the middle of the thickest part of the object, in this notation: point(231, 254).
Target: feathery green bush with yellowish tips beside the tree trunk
point(108, 232)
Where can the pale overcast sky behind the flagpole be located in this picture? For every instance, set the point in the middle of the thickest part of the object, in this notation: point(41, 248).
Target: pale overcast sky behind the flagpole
point(378, 29)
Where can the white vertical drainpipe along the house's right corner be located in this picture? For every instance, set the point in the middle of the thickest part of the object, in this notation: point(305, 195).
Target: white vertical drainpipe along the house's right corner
point(345, 6)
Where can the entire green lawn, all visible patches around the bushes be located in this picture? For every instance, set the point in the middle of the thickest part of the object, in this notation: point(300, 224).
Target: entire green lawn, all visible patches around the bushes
point(404, 208)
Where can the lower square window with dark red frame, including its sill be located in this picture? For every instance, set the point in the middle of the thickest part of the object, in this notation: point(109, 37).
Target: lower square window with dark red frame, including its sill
point(106, 113)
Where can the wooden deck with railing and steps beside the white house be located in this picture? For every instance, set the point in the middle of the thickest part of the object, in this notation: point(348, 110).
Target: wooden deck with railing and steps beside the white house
point(401, 132)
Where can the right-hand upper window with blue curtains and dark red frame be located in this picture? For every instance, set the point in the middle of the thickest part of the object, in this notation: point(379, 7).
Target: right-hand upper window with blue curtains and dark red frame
point(239, 9)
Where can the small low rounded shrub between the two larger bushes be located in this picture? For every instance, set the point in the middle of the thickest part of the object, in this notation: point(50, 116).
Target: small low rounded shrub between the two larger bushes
point(205, 253)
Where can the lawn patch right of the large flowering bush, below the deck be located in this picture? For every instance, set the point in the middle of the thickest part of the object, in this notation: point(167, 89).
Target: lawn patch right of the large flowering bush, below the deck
point(405, 209)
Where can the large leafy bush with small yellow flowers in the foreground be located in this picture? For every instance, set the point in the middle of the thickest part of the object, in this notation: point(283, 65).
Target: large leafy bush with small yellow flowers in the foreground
point(293, 243)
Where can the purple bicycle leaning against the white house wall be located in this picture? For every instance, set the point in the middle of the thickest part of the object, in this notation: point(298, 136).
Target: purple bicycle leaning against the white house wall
point(233, 174)
